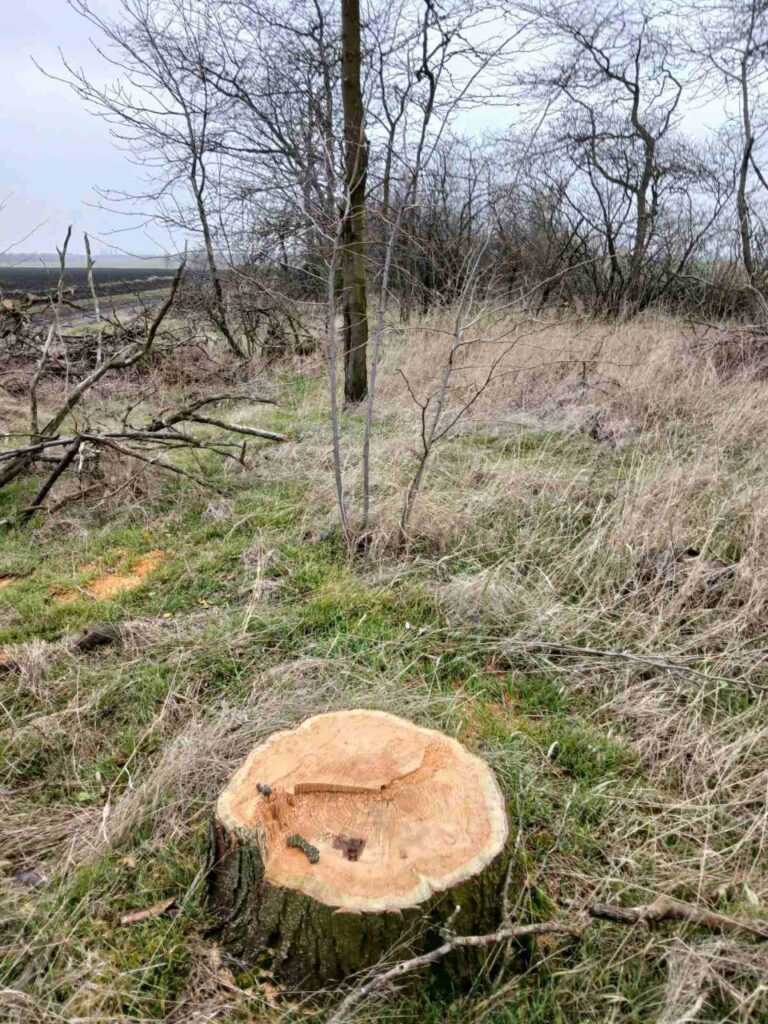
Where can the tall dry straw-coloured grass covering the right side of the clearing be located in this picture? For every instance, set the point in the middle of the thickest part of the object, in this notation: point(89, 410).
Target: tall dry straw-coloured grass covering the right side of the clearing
point(583, 539)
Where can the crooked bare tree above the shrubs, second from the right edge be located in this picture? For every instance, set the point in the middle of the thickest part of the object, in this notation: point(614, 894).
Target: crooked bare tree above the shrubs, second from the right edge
point(620, 96)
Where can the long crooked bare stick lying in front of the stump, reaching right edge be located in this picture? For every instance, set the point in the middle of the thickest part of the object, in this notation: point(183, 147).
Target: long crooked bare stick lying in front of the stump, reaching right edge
point(663, 909)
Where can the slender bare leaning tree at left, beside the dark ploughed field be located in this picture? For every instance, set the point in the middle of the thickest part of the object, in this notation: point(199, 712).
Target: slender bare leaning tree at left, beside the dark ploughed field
point(164, 109)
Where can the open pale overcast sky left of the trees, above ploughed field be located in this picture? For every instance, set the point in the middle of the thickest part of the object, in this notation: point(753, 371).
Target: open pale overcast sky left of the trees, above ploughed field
point(53, 152)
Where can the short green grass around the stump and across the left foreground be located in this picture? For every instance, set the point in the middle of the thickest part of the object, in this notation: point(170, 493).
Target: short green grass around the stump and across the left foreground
point(86, 732)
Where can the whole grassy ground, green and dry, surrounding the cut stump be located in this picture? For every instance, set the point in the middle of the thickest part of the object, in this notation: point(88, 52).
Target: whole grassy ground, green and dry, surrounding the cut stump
point(584, 604)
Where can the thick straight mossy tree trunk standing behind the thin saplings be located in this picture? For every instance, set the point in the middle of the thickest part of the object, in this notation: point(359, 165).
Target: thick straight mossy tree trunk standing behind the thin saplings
point(356, 170)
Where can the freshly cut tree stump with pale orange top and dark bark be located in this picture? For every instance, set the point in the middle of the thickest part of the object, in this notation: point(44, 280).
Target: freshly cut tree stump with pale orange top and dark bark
point(353, 835)
